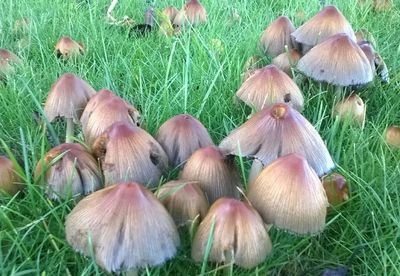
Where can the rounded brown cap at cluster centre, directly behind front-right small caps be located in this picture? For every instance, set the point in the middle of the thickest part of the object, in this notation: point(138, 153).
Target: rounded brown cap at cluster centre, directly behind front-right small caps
point(217, 174)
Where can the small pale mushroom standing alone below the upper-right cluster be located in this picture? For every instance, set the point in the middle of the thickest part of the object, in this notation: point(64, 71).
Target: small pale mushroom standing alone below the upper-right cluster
point(351, 109)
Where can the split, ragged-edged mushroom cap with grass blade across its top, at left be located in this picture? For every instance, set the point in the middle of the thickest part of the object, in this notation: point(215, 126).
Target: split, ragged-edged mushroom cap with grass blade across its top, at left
point(68, 170)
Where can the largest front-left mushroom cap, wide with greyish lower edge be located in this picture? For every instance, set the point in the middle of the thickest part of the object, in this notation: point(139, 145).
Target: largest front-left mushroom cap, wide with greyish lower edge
point(128, 228)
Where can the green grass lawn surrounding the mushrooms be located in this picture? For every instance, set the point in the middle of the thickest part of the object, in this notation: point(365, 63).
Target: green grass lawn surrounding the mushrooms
point(163, 77)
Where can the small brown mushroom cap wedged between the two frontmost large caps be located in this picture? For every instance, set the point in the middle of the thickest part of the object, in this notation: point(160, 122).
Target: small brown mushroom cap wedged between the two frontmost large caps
point(184, 200)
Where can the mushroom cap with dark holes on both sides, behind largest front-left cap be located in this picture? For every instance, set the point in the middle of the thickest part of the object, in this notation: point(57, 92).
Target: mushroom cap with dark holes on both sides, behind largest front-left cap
point(129, 153)
